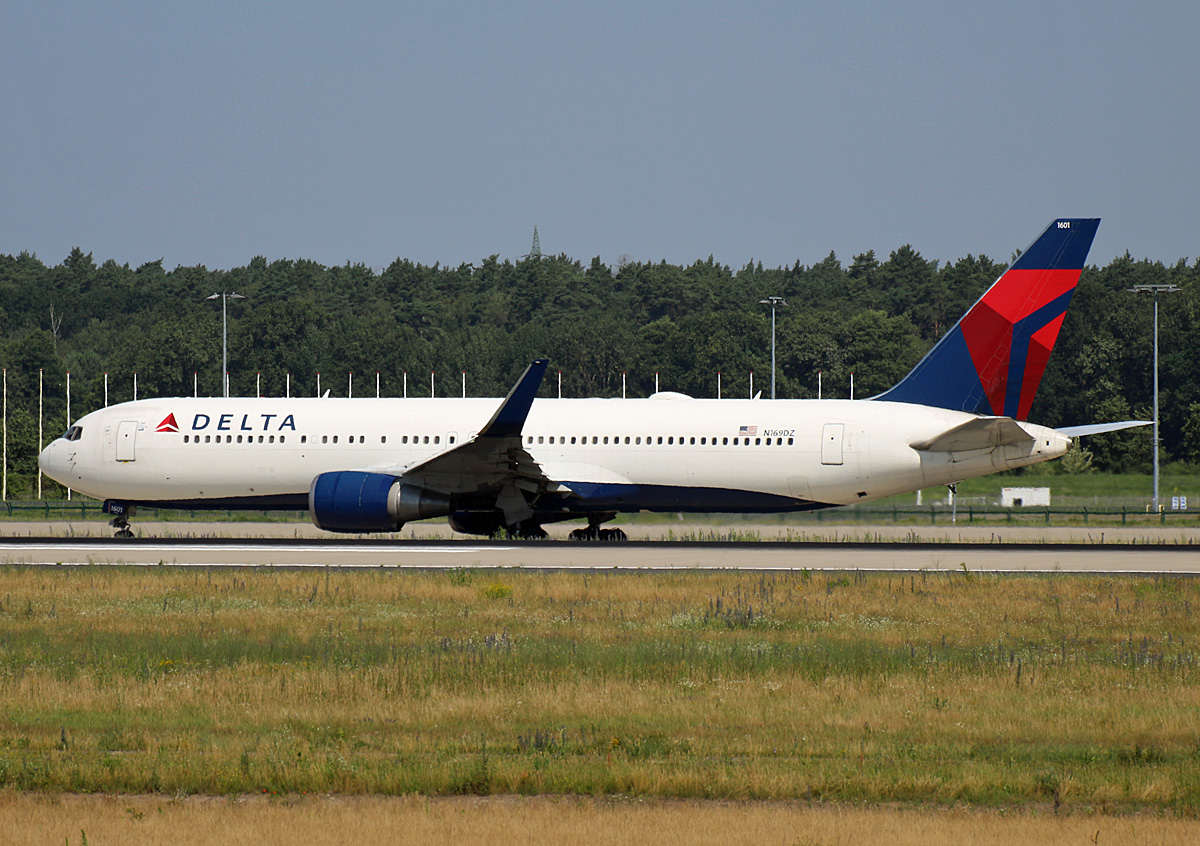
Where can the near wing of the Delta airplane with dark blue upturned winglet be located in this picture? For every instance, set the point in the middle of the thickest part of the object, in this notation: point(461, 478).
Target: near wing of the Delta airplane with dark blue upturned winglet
point(493, 460)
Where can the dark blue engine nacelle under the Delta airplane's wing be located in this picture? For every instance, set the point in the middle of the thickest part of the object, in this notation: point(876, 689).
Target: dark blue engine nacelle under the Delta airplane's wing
point(356, 501)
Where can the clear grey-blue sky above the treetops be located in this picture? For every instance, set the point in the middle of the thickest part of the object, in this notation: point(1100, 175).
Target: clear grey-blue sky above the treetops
point(445, 133)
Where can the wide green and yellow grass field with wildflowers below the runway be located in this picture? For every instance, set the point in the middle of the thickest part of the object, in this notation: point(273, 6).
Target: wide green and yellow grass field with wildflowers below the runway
point(995, 692)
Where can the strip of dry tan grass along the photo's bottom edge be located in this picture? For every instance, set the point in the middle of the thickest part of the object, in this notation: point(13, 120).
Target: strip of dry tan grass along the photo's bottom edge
point(134, 821)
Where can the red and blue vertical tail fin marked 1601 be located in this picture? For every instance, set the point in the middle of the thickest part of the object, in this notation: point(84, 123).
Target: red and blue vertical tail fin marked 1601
point(993, 361)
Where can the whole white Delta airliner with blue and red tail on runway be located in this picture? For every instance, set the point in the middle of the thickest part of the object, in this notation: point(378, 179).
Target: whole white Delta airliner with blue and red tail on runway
point(514, 465)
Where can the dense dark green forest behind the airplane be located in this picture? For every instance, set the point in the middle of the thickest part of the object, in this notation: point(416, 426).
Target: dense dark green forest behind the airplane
point(681, 326)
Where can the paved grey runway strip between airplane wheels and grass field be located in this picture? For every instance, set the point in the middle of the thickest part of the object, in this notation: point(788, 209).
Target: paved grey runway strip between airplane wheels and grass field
point(1112, 559)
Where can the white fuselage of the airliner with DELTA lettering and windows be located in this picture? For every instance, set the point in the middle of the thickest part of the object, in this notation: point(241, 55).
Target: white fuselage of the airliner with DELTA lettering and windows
point(770, 455)
